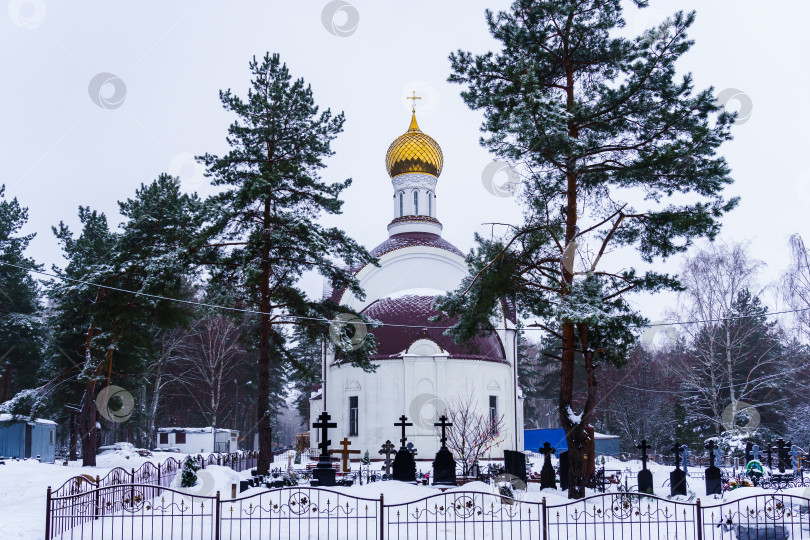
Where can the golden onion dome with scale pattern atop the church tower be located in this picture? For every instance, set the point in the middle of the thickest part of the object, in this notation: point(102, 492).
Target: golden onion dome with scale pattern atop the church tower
point(414, 152)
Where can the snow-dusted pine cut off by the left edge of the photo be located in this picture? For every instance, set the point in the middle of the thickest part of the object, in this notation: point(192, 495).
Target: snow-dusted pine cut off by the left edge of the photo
point(21, 330)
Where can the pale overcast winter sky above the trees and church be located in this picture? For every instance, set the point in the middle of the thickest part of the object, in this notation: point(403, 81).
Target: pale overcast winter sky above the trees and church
point(70, 137)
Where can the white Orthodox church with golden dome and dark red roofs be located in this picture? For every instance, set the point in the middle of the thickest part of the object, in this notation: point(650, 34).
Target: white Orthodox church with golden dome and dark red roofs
point(420, 371)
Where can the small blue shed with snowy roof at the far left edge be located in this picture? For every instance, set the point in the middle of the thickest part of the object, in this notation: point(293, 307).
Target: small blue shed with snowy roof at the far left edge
point(21, 437)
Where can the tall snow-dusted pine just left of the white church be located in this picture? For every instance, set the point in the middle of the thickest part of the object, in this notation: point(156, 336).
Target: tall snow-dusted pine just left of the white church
point(265, 222)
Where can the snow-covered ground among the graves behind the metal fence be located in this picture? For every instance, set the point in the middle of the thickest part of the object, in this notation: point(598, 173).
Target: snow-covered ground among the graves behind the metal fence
point(24, 485)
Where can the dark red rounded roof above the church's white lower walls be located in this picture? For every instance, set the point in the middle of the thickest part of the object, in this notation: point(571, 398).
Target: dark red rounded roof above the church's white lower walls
point(413, 313)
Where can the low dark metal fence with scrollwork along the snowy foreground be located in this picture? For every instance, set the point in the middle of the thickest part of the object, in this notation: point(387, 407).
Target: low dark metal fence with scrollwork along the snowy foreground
point(138, 511)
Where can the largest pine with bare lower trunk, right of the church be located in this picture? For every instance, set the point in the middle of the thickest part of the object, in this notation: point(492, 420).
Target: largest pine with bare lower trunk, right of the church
point(608, 142)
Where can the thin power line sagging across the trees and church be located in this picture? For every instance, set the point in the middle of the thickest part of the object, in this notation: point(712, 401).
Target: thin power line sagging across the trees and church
point(320, 319)
